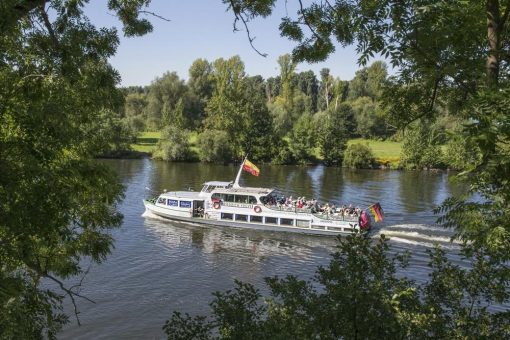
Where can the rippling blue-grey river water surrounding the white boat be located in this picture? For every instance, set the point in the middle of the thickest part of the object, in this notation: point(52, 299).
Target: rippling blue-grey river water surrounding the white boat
point(161, 266)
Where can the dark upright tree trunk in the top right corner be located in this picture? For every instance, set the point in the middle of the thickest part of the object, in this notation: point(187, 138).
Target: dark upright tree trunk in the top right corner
point(493, 35)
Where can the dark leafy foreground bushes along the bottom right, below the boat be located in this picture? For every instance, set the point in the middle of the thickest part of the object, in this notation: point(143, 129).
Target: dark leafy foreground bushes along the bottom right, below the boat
point(360, 295)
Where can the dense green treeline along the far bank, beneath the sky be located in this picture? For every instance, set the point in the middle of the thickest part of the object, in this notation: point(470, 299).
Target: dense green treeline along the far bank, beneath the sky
point(291, 118)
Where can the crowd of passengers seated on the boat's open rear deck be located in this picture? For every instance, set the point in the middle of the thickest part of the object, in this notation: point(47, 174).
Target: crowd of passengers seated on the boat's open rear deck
point(313, 205)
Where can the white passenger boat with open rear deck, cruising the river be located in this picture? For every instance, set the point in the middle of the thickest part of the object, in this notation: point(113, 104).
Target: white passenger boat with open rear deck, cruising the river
point(228, 204)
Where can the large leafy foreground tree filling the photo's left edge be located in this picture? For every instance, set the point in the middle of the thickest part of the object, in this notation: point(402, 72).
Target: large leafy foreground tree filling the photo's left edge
point(55, 86)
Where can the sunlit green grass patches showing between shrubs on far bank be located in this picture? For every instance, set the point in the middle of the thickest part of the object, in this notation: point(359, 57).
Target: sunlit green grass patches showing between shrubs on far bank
point(386, 152)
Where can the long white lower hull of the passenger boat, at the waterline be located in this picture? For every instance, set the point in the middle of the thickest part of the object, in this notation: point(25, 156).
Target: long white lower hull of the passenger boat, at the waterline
point(185, 216)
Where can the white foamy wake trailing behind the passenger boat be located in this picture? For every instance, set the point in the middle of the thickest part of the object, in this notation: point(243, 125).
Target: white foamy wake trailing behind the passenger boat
point(418, 234)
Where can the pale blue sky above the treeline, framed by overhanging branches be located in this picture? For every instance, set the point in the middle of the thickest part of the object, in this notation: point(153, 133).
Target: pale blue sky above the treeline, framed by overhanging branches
point(204, 29)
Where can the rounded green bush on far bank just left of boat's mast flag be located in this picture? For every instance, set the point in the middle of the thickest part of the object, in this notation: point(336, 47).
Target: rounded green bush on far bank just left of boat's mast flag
point(214, 146)
